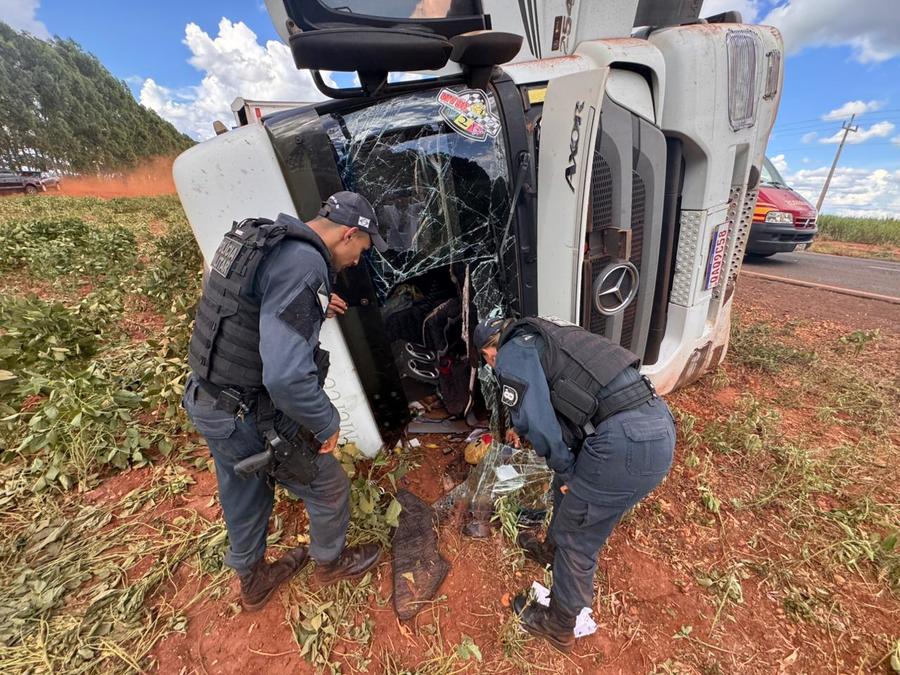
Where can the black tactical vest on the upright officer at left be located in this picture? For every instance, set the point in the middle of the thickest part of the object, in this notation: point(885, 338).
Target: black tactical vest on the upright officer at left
point(224, 346)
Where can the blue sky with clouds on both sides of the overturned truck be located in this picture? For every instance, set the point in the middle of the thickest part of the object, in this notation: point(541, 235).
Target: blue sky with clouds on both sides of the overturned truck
point(188, 59)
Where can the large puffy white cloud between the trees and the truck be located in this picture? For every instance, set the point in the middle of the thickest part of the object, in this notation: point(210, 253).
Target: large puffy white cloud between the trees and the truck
point(233, 64)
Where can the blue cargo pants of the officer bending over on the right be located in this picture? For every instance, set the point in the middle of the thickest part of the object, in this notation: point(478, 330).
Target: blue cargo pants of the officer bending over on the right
point(619, 465)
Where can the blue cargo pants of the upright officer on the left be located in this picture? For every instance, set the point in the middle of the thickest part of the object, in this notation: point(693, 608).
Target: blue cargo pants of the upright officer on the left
point(247, 502)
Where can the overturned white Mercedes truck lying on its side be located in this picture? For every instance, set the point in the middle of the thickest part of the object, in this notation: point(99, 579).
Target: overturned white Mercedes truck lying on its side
point(595, 161)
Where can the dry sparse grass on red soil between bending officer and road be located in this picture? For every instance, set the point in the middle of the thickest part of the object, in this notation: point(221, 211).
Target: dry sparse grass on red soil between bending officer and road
point(803, 457)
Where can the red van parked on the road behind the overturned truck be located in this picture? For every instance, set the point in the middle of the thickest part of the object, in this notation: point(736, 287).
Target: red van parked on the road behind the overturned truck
point(783, 220)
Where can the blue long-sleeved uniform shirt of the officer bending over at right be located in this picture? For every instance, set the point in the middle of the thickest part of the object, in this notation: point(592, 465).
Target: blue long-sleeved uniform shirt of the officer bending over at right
point(527, 396)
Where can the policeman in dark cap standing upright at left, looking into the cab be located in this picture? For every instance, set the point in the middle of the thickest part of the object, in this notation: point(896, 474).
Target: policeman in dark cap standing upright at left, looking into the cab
point(256, 387)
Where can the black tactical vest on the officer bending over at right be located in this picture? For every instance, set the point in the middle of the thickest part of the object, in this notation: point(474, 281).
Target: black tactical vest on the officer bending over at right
point(578, 366)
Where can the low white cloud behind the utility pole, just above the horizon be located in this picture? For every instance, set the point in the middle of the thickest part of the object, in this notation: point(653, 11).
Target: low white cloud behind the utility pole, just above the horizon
point(853, 192)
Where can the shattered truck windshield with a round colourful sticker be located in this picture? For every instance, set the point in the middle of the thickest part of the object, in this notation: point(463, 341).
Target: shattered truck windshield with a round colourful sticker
point(440, 193)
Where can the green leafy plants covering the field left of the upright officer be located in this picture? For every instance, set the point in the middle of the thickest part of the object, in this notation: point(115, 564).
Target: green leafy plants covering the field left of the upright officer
point(83, 398)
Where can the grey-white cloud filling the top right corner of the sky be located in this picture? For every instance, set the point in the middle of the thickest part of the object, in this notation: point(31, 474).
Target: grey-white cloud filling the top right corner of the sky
point(870, 27)
